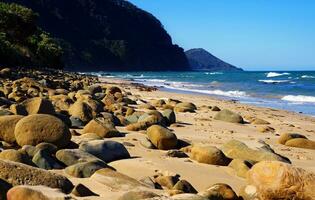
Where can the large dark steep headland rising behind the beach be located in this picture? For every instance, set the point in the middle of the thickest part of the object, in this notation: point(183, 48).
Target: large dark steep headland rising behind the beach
point(107, 35)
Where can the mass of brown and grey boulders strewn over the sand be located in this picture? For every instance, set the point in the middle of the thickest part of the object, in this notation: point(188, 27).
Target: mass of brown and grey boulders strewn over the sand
point(72, 124)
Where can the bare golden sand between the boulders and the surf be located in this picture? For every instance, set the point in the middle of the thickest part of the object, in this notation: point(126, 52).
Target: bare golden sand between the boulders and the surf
point(201, 128)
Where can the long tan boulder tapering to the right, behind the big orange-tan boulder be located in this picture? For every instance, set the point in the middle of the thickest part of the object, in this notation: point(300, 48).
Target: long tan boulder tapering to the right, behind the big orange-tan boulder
point(238, 150)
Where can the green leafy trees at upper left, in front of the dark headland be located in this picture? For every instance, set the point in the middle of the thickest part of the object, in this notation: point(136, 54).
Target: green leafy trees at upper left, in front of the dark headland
point(22, 42)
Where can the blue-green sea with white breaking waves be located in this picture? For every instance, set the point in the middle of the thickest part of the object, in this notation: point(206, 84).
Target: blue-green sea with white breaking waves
point(288, 90)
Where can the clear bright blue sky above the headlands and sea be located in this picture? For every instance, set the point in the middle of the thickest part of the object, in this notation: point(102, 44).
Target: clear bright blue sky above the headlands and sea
point(252, 34)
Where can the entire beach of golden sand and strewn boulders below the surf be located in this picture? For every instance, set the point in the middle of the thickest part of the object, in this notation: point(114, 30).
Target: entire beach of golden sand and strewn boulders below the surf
point(110, 138)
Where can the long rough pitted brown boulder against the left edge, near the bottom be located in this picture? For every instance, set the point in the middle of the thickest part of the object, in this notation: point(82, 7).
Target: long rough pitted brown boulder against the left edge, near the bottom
point(20, 174)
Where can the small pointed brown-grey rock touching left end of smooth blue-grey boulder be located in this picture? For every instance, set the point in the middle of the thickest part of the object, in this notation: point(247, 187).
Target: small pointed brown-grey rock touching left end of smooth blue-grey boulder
point(74, 156)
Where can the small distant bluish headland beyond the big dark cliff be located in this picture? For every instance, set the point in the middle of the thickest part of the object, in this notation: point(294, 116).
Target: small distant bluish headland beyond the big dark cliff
point(200, 59)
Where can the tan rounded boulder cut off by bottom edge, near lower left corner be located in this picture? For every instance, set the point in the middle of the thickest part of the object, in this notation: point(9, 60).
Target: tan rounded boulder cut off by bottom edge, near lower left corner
point(27, 192)
